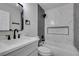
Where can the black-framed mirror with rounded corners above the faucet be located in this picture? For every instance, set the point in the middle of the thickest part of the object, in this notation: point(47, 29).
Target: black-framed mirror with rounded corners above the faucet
point(11, 16)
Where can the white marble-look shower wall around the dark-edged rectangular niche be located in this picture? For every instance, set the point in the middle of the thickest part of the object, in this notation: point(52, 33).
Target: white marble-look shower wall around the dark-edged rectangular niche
point(60, 16)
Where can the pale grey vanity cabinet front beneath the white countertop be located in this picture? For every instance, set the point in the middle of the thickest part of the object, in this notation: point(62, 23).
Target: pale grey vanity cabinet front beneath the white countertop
point(28, 50)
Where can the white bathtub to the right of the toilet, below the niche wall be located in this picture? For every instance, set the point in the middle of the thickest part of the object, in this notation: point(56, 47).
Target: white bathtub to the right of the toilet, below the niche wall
point(62, 49)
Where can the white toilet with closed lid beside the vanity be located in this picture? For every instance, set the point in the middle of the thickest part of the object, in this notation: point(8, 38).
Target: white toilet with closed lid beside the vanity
point(44, 51)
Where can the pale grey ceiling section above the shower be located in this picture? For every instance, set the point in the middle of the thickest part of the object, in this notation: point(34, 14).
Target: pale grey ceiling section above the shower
point(47, 6)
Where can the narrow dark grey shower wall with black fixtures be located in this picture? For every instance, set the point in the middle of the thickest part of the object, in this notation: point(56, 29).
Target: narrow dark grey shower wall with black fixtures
point(41, 24)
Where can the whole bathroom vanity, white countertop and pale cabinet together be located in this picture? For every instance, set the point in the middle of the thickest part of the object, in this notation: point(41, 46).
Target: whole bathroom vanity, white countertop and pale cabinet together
point(25, 46)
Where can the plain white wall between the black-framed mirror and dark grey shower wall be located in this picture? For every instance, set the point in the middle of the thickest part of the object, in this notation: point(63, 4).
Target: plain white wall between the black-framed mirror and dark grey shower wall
point(30, 13)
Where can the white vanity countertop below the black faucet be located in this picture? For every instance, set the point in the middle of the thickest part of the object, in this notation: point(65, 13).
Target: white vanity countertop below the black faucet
point(7, 46)
